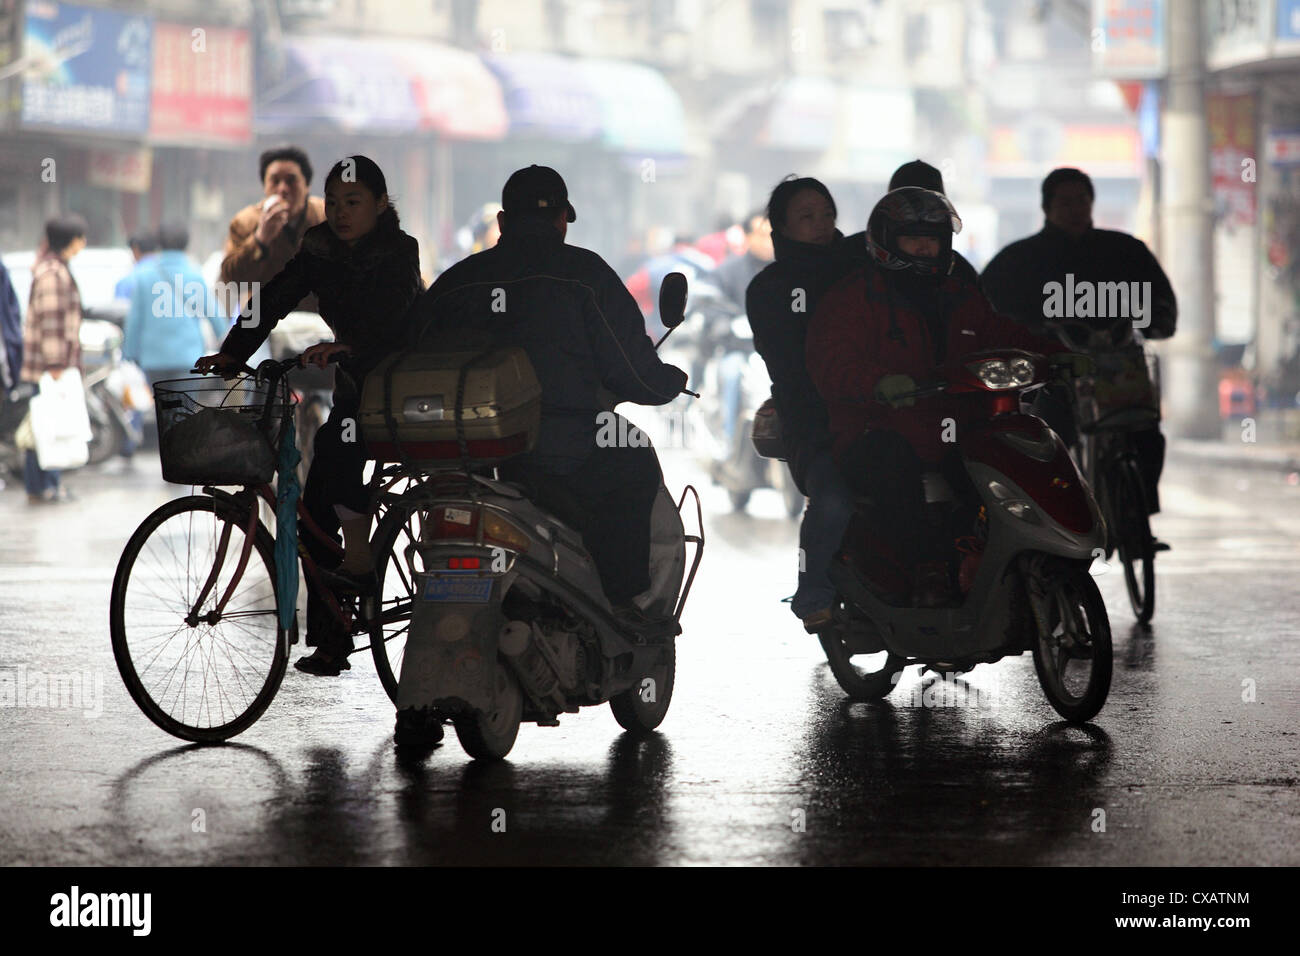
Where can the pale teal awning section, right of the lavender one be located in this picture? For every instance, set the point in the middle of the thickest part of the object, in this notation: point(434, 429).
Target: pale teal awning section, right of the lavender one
point(640, 113)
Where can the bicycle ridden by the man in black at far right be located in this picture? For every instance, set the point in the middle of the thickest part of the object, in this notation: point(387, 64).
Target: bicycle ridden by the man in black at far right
point(1110, 406)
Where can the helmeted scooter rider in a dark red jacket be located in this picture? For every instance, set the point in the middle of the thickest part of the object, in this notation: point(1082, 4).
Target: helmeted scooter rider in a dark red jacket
point(879, 332)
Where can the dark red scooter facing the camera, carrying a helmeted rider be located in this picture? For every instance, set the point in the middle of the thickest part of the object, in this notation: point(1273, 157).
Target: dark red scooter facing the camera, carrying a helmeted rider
point(1025, 574)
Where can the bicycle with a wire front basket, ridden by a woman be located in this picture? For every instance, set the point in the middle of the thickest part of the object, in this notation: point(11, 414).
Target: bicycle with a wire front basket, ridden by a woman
point(194, 617)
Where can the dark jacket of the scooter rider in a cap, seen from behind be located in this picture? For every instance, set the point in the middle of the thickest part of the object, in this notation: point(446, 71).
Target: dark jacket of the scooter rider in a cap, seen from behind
point(574, 318)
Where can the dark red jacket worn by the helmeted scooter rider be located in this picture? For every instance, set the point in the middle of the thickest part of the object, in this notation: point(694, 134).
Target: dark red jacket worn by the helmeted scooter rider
point(851, 349)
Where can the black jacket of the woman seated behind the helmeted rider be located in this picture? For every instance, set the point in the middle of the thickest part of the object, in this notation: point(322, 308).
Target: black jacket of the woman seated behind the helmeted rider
point(781, 323)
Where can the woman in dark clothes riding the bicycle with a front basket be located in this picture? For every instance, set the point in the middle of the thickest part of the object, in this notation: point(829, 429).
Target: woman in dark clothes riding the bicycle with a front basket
point(366, 274)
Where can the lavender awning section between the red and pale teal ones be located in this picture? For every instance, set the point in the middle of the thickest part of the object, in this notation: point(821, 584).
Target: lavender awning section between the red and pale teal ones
point(547, 97)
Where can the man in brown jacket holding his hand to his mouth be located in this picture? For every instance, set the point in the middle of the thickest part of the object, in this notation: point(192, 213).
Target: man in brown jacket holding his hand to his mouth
point(266, 236)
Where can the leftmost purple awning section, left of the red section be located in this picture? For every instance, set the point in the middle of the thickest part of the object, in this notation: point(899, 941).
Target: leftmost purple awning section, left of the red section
point(343, 83)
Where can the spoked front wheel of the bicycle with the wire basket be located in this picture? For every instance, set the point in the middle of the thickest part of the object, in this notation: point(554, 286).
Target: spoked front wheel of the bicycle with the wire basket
point(198, 674)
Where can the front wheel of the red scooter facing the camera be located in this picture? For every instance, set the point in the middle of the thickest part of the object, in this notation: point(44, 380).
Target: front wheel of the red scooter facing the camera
point(1073, 656)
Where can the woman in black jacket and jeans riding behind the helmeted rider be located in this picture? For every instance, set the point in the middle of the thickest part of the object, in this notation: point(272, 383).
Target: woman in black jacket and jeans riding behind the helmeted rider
point(812, 256)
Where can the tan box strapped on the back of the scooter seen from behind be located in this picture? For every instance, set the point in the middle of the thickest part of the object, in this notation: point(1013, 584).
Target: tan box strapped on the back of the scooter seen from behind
point(501, 405)
